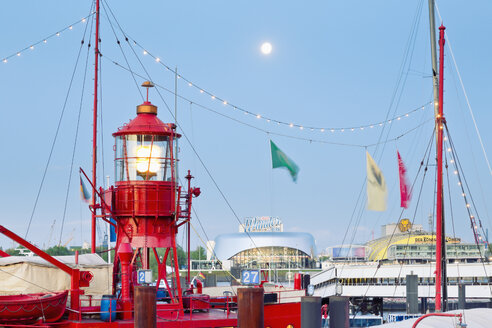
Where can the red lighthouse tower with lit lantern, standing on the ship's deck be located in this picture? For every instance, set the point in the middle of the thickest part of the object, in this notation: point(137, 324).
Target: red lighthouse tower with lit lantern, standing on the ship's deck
point(147, 201)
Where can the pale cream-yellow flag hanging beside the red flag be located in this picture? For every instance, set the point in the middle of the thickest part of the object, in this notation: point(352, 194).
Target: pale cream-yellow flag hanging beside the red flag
point(376, 186)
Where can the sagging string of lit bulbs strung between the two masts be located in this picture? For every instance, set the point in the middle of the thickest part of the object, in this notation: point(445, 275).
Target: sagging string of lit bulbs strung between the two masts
point(267, 119)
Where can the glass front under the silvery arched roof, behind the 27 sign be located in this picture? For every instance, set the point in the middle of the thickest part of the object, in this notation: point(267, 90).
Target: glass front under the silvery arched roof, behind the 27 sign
point(273, 257)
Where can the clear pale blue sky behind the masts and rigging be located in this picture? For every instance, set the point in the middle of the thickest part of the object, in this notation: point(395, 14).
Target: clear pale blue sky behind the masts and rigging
point(334, 64)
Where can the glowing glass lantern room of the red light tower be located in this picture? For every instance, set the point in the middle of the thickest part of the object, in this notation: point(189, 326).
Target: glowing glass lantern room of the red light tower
point(142, 157)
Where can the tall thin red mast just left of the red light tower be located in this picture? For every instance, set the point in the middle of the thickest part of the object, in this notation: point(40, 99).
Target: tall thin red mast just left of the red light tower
point(94, 133)
